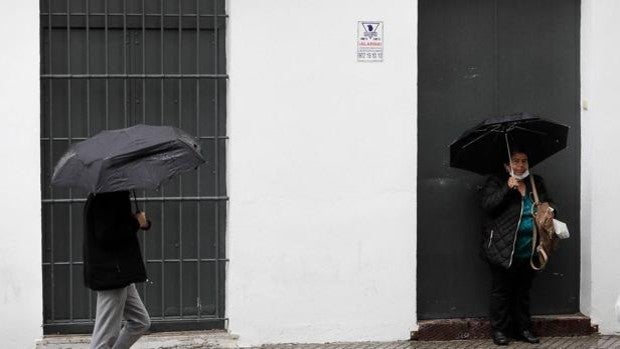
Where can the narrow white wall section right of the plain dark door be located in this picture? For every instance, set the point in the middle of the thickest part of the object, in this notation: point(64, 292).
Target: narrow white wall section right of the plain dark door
point(600, 236)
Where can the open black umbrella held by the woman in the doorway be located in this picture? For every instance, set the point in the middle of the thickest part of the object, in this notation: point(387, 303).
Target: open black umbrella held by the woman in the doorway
point(486, 147)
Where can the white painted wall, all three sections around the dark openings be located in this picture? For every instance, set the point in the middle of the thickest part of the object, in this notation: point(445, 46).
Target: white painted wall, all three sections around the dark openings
point(322, 172)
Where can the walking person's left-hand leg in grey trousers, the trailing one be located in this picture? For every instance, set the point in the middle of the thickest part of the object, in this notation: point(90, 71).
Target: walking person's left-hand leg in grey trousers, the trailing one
point(110, 304)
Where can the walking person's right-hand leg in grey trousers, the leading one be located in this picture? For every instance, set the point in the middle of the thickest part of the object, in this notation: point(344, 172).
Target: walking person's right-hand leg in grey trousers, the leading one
point(137, 320)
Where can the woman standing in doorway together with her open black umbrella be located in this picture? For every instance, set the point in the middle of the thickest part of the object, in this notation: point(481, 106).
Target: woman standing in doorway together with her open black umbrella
point(517, 141)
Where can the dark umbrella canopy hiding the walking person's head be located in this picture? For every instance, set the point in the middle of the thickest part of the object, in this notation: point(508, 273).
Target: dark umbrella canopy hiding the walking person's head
point(137, 157)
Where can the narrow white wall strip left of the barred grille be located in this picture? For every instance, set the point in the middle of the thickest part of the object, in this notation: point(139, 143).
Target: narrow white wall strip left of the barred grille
point(21, 295)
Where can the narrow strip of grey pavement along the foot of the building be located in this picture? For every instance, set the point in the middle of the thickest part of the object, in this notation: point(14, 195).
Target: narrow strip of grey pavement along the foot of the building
point(223, 340)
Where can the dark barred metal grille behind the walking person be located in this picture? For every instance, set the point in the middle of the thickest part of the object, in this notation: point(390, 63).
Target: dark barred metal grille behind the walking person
point(109, 64)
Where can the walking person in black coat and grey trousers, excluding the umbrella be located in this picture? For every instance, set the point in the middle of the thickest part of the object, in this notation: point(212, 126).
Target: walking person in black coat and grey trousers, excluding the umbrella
point(112, 265)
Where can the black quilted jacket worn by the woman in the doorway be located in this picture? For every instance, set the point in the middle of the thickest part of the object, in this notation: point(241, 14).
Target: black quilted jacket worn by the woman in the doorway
point(502, 213)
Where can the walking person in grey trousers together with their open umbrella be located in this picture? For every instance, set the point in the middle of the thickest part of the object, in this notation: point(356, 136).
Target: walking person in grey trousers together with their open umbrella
point(109, 165)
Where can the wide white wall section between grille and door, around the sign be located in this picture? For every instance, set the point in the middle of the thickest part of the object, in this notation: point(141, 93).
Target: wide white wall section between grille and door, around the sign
point(322, 172)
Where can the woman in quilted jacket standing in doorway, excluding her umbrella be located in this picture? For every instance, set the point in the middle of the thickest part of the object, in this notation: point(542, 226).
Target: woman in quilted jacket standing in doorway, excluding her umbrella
point(508, 204)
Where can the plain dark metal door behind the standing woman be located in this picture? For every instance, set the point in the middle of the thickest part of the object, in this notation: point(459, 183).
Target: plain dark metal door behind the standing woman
point(478, 59)
